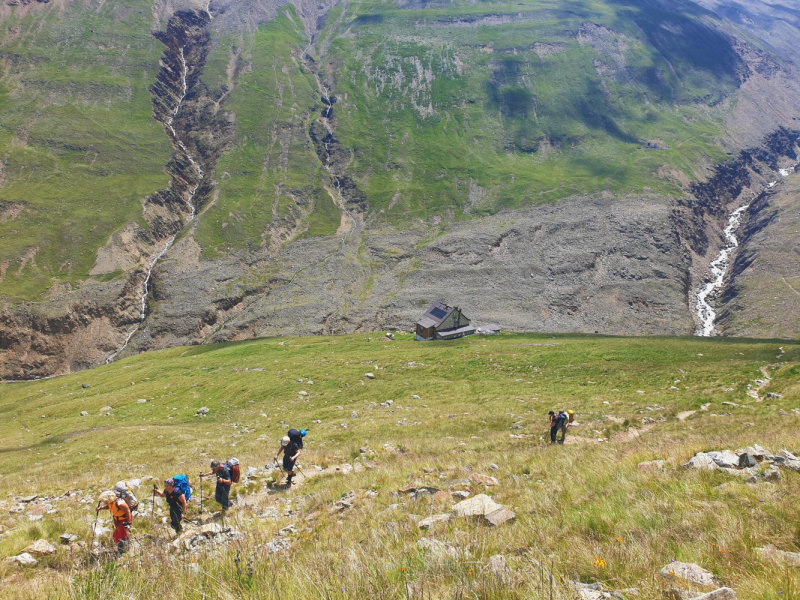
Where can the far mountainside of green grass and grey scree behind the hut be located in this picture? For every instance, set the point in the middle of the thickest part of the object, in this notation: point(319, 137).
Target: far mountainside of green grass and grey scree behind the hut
point(235, 169)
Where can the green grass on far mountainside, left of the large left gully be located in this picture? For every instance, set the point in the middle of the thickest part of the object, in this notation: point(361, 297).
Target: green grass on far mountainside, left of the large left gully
point(80, 146)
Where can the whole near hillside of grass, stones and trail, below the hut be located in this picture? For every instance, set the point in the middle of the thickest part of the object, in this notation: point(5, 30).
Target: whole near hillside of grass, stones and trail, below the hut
point(645, 500)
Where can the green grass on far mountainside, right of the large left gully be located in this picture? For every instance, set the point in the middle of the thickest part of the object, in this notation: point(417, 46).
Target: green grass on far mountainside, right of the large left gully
point(526, 128)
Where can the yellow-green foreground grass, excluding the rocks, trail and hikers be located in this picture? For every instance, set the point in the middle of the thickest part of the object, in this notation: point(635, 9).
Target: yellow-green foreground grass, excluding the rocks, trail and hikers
point(575, 502)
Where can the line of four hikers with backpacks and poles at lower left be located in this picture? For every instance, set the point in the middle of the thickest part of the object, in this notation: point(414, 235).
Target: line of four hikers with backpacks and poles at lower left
point(121, 501)
